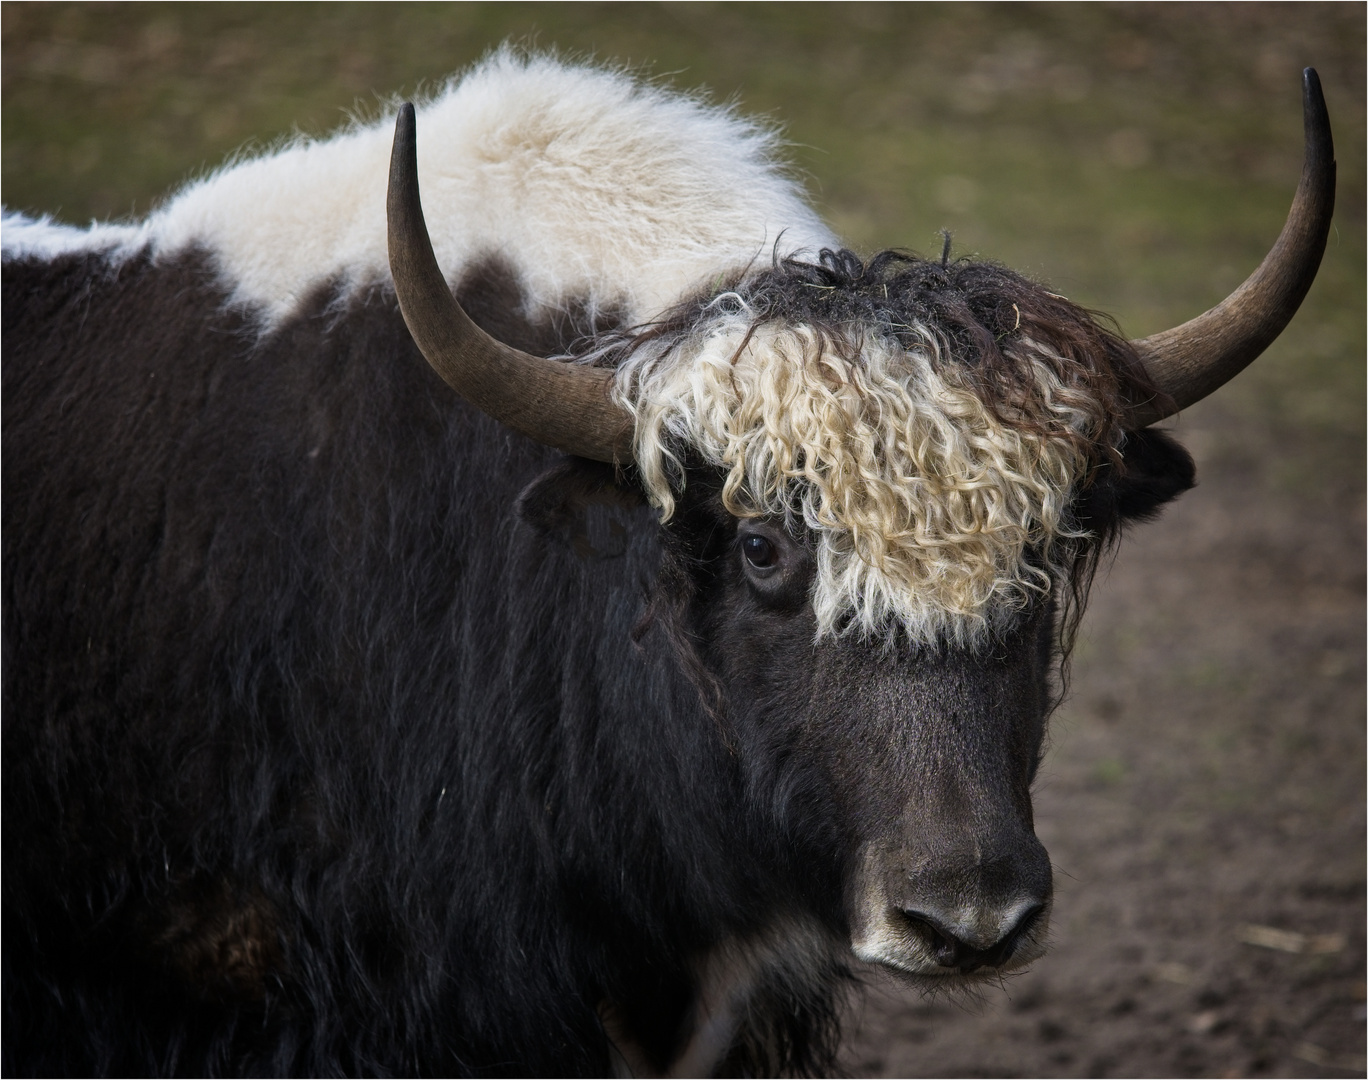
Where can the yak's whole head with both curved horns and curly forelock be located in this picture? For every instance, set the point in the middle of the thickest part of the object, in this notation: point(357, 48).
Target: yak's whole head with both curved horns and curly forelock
point(883, 488)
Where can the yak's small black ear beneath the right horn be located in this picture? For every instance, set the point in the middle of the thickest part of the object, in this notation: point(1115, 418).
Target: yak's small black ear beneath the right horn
point(1154, 470)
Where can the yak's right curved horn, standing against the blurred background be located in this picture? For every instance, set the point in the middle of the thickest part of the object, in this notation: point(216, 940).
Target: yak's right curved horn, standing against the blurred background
point(1195, 359)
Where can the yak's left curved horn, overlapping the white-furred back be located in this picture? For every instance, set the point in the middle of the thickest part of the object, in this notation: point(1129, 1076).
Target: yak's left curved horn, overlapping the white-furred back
point(557, 404)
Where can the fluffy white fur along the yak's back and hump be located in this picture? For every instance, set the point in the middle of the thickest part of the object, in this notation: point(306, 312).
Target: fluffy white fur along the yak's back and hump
point(588, 183)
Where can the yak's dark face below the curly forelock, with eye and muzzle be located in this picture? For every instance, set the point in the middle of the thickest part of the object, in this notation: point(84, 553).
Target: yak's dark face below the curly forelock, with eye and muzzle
point(897, 780)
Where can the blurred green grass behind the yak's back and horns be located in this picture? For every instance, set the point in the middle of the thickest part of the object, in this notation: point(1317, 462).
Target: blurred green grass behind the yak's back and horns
point(1139, 158)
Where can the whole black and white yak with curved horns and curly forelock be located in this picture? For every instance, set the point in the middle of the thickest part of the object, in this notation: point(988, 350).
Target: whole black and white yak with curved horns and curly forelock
point(597, 696)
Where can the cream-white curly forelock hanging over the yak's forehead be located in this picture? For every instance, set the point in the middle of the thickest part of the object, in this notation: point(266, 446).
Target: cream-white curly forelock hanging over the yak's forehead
point(932, 517)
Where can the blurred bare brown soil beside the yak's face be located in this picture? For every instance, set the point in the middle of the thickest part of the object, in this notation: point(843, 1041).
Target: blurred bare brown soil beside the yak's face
point(1206, 777)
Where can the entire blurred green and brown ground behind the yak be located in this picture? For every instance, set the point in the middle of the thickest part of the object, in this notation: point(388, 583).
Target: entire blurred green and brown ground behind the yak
point(1205, 795)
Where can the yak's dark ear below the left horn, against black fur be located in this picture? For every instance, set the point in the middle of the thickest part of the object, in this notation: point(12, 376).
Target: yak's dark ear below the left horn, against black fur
point(589, 507)
